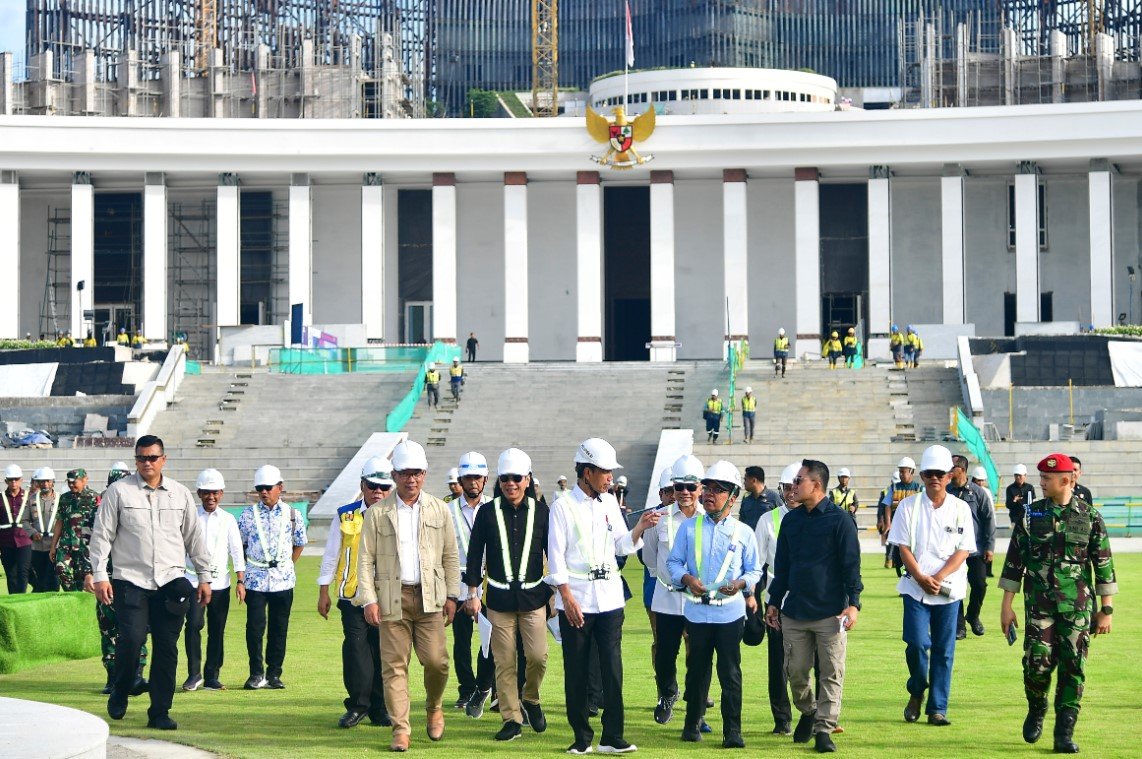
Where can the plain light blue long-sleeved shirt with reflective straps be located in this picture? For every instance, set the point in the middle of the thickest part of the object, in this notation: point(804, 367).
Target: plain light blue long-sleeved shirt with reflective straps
point(729, 537)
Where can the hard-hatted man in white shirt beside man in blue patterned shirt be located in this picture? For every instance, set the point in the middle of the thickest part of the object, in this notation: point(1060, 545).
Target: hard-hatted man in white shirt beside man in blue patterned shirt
point(224, 547)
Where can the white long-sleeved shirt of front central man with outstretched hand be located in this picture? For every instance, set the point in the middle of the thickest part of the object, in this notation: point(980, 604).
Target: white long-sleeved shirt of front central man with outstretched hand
point(608, 539)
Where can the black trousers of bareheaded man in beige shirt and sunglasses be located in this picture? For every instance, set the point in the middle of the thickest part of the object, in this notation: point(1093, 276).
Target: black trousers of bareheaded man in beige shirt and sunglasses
point(138, 611)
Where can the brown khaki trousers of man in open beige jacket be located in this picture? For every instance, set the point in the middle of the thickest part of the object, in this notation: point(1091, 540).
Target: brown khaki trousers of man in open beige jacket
point(423, 632)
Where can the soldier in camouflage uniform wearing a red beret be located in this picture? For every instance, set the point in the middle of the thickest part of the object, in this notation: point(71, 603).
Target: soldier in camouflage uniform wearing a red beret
point(1055, 551)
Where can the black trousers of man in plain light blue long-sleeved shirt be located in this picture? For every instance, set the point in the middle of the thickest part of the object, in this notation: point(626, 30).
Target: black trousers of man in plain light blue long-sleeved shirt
point(705, 641)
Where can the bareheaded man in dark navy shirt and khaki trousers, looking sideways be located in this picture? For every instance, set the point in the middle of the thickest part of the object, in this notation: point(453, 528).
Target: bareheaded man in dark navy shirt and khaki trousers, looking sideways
point(818, 546)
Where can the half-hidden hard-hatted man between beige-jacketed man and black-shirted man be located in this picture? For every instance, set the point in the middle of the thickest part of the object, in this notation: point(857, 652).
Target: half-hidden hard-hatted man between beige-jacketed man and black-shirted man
point(476, 685)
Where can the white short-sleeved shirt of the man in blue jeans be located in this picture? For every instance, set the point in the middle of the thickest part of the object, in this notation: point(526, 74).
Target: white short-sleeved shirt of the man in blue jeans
point(938, 534)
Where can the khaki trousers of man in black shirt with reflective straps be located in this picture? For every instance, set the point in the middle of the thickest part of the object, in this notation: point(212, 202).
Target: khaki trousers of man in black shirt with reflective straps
point(533, 627)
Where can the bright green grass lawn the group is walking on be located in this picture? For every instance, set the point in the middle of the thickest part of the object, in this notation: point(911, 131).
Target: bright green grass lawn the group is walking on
point(987, 699)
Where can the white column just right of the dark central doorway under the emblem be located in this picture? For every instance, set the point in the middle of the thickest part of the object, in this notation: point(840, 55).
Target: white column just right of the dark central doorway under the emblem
point(662, 268)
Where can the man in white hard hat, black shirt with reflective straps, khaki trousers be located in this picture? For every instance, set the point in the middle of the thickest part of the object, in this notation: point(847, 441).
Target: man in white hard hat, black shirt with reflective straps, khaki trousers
point(510, 538)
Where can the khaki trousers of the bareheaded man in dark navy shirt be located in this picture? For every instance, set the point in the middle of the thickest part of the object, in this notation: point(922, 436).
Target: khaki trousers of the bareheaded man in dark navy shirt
point(824, 639)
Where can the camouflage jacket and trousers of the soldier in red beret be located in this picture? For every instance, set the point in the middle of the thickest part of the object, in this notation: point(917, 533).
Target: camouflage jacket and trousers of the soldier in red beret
point(1052, 554)
